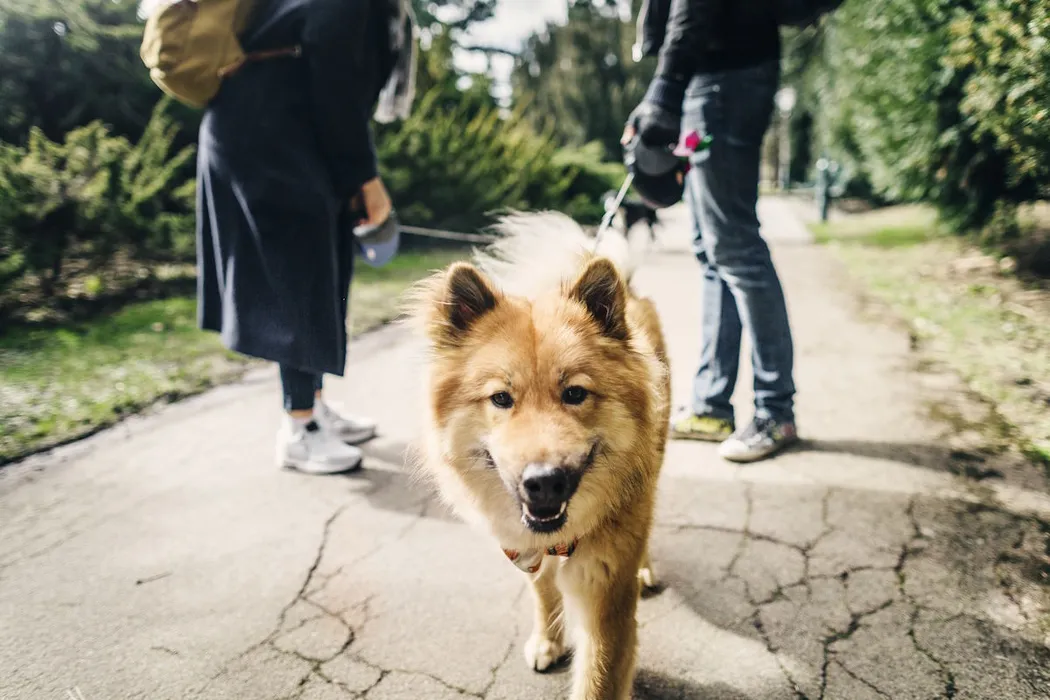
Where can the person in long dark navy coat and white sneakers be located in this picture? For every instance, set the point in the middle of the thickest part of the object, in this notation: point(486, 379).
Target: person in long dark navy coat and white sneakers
point(285, 147)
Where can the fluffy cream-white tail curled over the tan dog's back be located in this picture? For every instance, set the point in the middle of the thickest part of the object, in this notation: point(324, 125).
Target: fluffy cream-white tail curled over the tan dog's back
point(541, 251)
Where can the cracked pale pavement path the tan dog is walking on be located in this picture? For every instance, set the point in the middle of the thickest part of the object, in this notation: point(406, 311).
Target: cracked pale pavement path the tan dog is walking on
point(888, 558)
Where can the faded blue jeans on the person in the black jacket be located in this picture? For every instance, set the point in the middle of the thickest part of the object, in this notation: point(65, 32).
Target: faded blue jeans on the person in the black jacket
point(741, 285)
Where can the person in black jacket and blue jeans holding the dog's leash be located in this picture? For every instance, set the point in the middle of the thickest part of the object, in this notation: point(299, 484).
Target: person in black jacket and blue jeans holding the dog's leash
point(718, 74)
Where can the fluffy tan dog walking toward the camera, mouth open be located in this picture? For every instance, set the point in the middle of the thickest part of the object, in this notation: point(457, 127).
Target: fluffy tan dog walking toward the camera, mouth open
point(549, 402)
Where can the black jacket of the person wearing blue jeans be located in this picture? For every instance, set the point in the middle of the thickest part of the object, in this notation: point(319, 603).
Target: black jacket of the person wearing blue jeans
point(706, 36)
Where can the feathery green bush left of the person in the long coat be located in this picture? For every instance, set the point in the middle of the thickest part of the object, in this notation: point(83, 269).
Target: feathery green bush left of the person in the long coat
point(91, 198)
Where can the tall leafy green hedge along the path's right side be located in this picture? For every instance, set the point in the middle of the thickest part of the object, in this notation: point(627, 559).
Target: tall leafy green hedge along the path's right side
point(934, 100)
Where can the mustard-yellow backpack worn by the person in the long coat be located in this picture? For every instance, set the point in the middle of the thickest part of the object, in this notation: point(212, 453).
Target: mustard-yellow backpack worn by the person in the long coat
point(191, 46)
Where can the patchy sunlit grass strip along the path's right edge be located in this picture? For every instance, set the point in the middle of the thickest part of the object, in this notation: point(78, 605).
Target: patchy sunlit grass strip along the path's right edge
point(963, 311)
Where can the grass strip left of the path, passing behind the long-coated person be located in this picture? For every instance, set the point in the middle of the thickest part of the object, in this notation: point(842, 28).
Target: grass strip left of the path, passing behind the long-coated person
point(60, 385)
